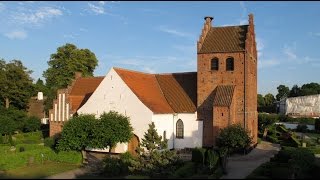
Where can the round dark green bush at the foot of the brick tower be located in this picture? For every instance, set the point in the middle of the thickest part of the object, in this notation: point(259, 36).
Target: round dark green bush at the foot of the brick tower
point(234, 137)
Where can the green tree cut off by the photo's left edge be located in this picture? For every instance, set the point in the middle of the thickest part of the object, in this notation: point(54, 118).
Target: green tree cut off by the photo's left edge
point(16, 84)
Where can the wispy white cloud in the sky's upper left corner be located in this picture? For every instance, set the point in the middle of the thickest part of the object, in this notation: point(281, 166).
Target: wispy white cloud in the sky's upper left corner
point(37, 17)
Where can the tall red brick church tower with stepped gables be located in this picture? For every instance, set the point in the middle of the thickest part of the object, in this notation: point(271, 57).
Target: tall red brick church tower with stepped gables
point(227, 79)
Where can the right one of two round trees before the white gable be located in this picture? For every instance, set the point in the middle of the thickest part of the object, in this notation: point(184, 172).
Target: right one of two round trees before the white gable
point(112, 128)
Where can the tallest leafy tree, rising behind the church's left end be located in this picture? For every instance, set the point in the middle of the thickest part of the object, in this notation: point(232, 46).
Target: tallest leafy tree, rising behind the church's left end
point(62, 67)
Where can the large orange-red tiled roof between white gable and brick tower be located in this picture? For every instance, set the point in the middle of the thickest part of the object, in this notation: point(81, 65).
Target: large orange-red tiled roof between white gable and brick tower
point(162, 93)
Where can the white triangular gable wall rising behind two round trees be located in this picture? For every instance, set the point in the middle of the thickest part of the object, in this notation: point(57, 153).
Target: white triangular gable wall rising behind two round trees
point(114, 94)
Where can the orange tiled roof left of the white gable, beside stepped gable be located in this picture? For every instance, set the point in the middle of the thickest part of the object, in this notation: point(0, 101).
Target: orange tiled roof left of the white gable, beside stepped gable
point(81, 90)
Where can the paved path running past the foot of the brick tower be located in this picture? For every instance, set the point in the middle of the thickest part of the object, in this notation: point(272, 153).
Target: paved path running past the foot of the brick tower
point(240, 166)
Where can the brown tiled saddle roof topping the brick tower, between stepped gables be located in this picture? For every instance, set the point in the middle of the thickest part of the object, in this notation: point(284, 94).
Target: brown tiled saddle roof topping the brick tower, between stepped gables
point(225, 39)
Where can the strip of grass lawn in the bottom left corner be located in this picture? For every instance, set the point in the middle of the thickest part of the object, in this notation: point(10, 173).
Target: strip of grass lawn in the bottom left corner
point(38, 171)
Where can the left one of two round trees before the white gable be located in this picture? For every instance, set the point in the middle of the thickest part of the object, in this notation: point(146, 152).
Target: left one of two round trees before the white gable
point(77, 133)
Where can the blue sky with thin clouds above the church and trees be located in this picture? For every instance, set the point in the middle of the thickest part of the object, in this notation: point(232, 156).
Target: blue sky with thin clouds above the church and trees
point(160, 37)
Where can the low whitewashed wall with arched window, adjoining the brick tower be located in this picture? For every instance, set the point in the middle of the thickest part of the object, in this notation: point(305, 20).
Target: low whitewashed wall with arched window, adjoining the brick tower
point(192, 129)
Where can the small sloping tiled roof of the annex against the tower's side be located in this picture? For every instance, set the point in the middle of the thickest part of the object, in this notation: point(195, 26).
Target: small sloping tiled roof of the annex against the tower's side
point(223, 95)
